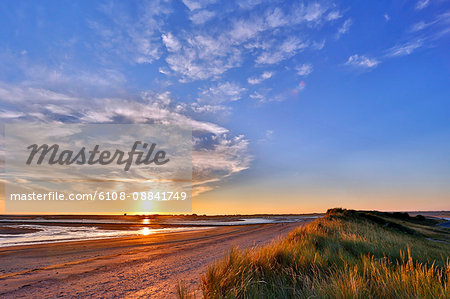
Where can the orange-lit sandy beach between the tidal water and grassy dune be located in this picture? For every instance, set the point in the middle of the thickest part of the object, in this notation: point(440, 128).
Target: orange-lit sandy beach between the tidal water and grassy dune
point(131, 267)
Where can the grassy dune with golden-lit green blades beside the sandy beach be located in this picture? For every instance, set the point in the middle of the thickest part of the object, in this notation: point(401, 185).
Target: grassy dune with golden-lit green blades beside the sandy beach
point(346, 254)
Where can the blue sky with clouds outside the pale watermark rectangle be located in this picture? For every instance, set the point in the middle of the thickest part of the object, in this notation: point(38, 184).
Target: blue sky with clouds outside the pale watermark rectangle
point(295, 106)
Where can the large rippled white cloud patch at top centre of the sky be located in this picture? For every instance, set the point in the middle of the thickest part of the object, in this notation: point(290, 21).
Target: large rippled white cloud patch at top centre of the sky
point(212, 51)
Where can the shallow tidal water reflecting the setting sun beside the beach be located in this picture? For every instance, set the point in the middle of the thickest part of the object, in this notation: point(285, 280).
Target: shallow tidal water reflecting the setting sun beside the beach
point(39, 230)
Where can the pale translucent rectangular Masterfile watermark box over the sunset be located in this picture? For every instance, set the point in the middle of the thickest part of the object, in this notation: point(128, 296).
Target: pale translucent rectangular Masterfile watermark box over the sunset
point(97, 168)
